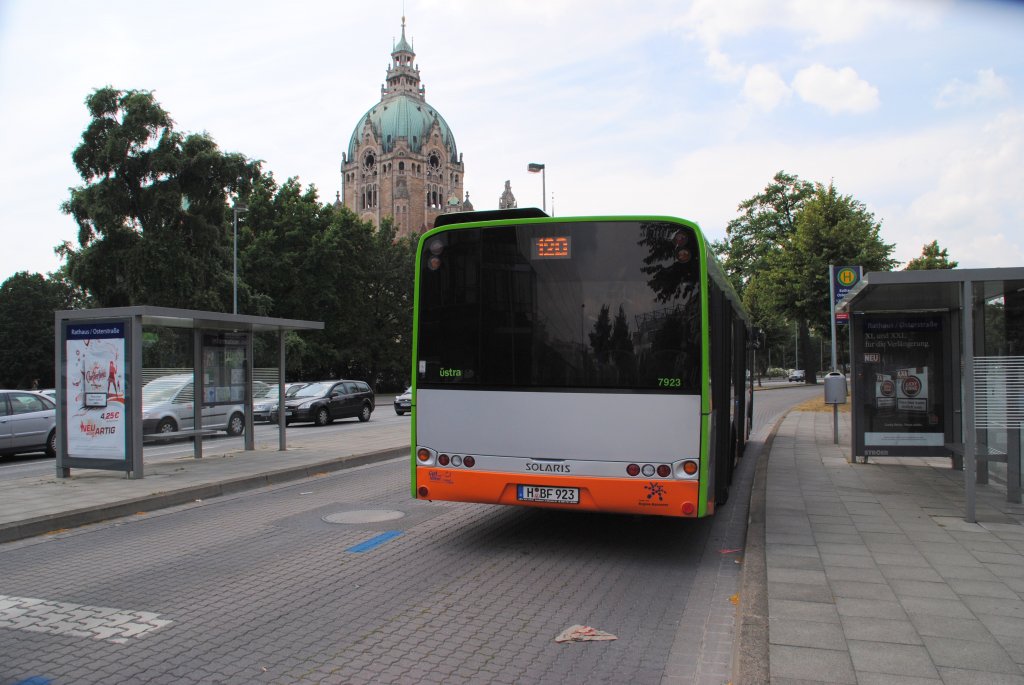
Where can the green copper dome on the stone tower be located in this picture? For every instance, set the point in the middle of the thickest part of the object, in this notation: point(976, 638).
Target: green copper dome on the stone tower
point(403, 116)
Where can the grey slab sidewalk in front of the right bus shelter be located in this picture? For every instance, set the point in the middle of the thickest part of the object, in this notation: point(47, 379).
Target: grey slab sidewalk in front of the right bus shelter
point(873, 575)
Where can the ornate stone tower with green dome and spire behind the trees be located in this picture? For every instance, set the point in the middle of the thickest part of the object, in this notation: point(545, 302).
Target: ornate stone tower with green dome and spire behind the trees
point(402, 160)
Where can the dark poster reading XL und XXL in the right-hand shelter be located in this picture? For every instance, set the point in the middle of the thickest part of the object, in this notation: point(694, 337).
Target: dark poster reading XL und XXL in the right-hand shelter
point(902, 386)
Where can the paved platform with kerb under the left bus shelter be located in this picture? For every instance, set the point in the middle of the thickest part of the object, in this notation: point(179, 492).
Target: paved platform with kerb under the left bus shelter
point(36, 505)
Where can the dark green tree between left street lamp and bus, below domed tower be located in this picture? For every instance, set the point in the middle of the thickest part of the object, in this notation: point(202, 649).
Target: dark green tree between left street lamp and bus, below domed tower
point(304, 260)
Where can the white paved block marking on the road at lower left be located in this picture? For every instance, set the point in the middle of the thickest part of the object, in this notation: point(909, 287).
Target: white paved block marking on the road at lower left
point(99, 623)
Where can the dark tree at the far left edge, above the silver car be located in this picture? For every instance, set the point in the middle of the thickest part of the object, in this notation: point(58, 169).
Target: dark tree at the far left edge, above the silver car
point(27, 334)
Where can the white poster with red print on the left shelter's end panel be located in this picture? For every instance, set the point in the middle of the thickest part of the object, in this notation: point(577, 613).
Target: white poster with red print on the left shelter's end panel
point(95, 393)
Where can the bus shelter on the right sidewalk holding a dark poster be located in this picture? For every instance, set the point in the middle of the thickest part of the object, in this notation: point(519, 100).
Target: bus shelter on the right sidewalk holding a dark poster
point(938, 370)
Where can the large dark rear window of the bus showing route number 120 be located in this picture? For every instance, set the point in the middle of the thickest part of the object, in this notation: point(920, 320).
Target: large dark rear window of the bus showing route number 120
point(574, 307)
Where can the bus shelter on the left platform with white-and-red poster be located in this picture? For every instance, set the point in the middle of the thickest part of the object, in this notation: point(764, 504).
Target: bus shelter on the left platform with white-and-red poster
point(99, 358)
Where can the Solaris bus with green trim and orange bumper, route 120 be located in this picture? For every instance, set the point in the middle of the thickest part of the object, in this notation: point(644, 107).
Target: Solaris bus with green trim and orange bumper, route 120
point(593, 364)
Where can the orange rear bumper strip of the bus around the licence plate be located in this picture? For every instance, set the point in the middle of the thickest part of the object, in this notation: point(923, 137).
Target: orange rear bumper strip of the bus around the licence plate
point(627, 496)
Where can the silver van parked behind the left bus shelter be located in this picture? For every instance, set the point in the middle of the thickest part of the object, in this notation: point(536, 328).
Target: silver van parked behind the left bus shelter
point(168, 406)
